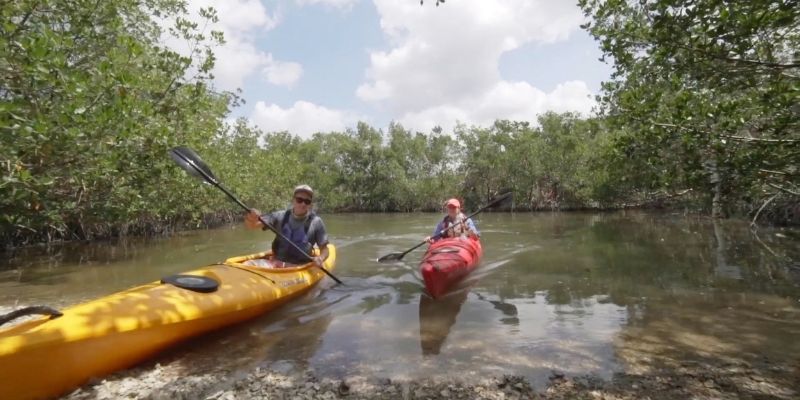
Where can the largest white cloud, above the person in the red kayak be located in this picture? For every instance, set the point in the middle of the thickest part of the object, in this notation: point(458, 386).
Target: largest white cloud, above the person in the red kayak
point(444, 62)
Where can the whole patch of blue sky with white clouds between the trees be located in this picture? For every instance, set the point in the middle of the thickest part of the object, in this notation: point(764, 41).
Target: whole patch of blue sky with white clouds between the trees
point(321, 65)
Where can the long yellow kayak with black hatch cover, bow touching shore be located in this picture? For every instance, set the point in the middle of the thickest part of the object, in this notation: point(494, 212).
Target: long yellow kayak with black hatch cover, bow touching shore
point(48, 356)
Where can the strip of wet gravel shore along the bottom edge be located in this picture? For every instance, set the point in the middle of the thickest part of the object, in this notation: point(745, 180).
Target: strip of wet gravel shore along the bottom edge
point(688, 381)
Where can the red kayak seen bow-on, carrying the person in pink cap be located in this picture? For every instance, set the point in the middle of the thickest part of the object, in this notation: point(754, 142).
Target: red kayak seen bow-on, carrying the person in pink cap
point(447, 261)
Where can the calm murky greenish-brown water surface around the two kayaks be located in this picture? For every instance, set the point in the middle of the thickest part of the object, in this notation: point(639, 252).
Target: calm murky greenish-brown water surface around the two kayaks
point(570, 292)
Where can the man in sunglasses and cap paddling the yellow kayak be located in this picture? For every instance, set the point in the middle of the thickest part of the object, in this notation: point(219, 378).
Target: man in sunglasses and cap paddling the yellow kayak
point(299, 224)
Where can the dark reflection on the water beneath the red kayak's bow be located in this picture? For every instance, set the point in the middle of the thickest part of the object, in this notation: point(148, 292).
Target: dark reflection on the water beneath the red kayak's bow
point(436, 318)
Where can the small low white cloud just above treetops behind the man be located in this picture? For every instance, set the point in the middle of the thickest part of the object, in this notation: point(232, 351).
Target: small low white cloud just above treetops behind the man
point(302, 119)
